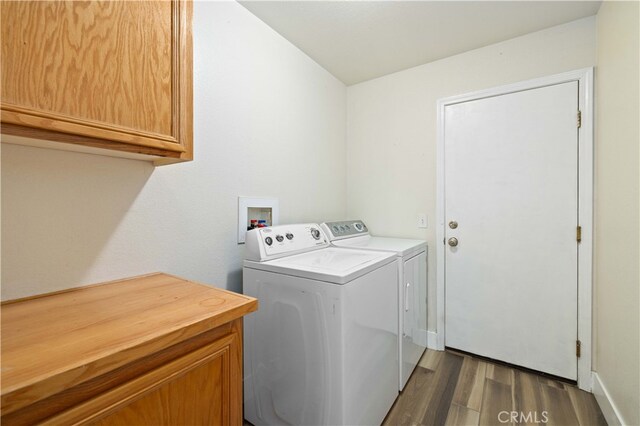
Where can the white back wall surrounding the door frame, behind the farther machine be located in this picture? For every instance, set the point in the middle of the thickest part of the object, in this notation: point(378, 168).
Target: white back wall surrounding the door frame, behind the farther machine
point(391, 129)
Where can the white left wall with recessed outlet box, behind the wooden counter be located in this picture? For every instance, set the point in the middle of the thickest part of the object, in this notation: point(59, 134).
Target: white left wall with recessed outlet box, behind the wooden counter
point(267, 121)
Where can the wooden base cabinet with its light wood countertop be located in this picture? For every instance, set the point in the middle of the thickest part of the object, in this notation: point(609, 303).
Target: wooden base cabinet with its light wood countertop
point(157, 347)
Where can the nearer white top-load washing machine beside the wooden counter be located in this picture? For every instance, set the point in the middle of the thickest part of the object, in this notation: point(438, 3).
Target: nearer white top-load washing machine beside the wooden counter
point(322, 347)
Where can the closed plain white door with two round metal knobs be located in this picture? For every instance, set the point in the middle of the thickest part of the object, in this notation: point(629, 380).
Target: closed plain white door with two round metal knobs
point(511, 185)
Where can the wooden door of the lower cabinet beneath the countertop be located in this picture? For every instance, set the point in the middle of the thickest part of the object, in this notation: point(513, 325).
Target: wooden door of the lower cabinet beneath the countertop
point(203, 387)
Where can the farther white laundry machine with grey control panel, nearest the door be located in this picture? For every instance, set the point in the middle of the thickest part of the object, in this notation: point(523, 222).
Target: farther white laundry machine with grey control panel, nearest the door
point(412, 289)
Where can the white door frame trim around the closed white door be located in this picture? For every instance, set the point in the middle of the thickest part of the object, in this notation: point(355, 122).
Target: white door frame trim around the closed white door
point(584, 77)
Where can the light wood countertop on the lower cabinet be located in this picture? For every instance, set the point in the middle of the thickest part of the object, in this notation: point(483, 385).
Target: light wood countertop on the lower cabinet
point(54, 341)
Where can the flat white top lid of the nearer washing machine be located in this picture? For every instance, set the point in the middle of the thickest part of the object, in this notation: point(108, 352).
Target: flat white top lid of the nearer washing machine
point(332, 264)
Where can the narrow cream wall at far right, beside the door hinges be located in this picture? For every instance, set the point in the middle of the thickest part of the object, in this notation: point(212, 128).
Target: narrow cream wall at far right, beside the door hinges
point(617, 196)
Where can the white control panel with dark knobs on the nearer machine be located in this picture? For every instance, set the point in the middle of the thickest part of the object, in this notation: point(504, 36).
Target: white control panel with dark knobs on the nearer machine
point(283, 240)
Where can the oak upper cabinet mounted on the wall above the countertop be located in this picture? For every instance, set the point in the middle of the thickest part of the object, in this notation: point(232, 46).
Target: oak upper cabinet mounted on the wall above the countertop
point(113, 75)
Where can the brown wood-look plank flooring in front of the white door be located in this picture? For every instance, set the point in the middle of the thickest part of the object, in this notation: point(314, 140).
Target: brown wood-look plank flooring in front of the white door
point(450, 388)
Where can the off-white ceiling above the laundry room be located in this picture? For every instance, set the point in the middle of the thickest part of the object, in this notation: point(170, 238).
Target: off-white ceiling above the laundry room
point(360, 40)
